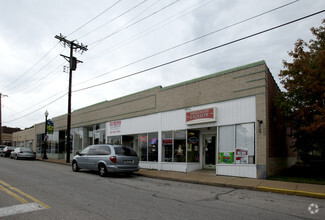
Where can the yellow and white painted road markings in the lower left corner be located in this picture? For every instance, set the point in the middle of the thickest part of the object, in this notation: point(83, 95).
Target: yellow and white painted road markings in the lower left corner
point(18, 195)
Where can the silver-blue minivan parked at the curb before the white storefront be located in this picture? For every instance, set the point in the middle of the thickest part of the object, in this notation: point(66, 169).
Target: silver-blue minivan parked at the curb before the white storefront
point(107, 159)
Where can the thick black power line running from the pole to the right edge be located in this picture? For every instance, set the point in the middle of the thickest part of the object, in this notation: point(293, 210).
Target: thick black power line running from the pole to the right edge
point(201, 52)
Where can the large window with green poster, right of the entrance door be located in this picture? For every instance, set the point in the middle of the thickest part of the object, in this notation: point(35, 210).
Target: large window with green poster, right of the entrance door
point(237, 144)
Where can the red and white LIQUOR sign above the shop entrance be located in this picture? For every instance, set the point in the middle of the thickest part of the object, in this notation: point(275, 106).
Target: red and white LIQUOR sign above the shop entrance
point(200, 116)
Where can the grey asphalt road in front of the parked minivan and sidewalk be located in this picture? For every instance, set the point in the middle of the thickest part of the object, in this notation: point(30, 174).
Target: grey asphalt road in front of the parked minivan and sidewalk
point(41, 190)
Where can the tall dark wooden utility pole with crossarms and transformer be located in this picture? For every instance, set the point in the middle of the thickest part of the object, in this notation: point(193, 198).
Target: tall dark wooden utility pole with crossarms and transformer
point(73, 45)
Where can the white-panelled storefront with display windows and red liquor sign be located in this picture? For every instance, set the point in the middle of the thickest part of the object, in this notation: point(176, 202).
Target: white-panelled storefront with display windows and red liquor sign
point(219, 136)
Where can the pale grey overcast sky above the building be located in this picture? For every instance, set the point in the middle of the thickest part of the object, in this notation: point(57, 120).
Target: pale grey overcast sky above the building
point(122, 36)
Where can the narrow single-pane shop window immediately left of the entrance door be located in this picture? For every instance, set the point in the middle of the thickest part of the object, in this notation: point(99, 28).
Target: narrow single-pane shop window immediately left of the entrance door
point(193, 146)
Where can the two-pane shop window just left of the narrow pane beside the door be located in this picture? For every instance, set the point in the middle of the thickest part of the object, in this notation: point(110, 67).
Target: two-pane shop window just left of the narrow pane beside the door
point(174, 146)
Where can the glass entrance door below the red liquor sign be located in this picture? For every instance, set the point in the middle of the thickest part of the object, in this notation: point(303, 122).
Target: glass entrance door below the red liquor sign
point(209, 152)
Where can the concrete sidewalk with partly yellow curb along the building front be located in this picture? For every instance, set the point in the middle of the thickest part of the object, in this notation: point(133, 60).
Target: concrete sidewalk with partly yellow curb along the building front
point(207, 177)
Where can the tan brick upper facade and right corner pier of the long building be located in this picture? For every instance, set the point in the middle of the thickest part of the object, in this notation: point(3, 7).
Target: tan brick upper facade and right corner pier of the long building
point(249, 80)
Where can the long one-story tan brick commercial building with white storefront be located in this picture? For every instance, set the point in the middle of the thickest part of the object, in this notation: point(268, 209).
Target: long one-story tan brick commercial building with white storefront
point(225, 121)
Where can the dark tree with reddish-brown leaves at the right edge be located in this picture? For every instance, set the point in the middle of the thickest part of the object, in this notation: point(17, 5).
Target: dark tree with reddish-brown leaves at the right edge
point(303, 102)
